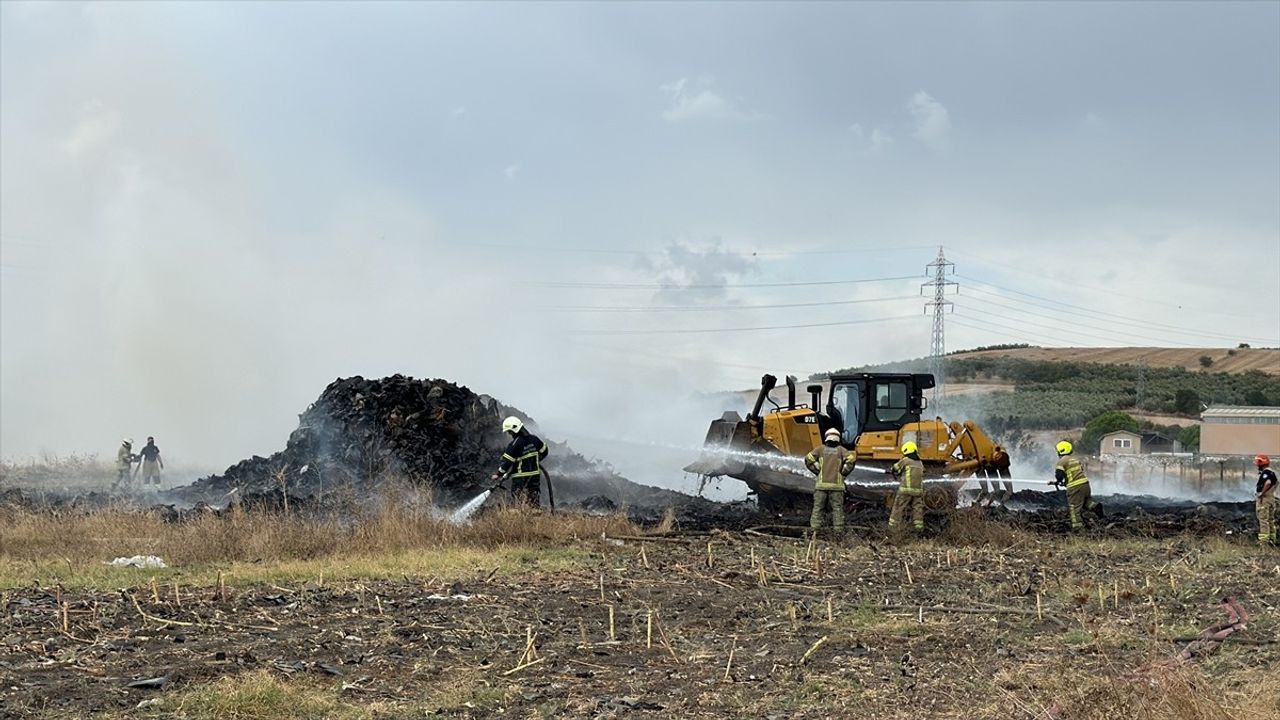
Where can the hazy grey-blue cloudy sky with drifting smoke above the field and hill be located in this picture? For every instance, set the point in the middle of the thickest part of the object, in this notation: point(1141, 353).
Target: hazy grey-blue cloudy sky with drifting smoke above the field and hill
point(597, 212)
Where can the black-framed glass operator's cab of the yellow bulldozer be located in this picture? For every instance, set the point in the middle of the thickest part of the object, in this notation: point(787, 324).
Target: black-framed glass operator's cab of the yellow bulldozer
point(875, 402)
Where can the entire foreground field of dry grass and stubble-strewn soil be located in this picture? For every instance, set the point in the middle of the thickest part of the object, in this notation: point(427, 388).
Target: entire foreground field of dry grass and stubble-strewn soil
point(532, 616)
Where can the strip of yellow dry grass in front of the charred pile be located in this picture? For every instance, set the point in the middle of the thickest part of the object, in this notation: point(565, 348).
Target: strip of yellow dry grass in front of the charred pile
point(395, 539)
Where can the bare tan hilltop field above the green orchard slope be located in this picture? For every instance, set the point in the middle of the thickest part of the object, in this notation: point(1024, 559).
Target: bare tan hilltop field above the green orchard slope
point(1224, 361)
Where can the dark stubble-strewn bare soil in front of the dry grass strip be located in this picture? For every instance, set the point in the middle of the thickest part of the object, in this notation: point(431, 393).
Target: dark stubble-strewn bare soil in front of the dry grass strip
point(738, 623)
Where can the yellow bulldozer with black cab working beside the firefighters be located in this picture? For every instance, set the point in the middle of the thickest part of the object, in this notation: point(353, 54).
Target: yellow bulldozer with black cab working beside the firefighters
point(876, 413)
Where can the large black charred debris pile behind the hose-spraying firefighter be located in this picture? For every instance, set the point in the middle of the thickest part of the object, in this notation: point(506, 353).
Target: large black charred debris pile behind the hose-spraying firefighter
point(362, 435)
